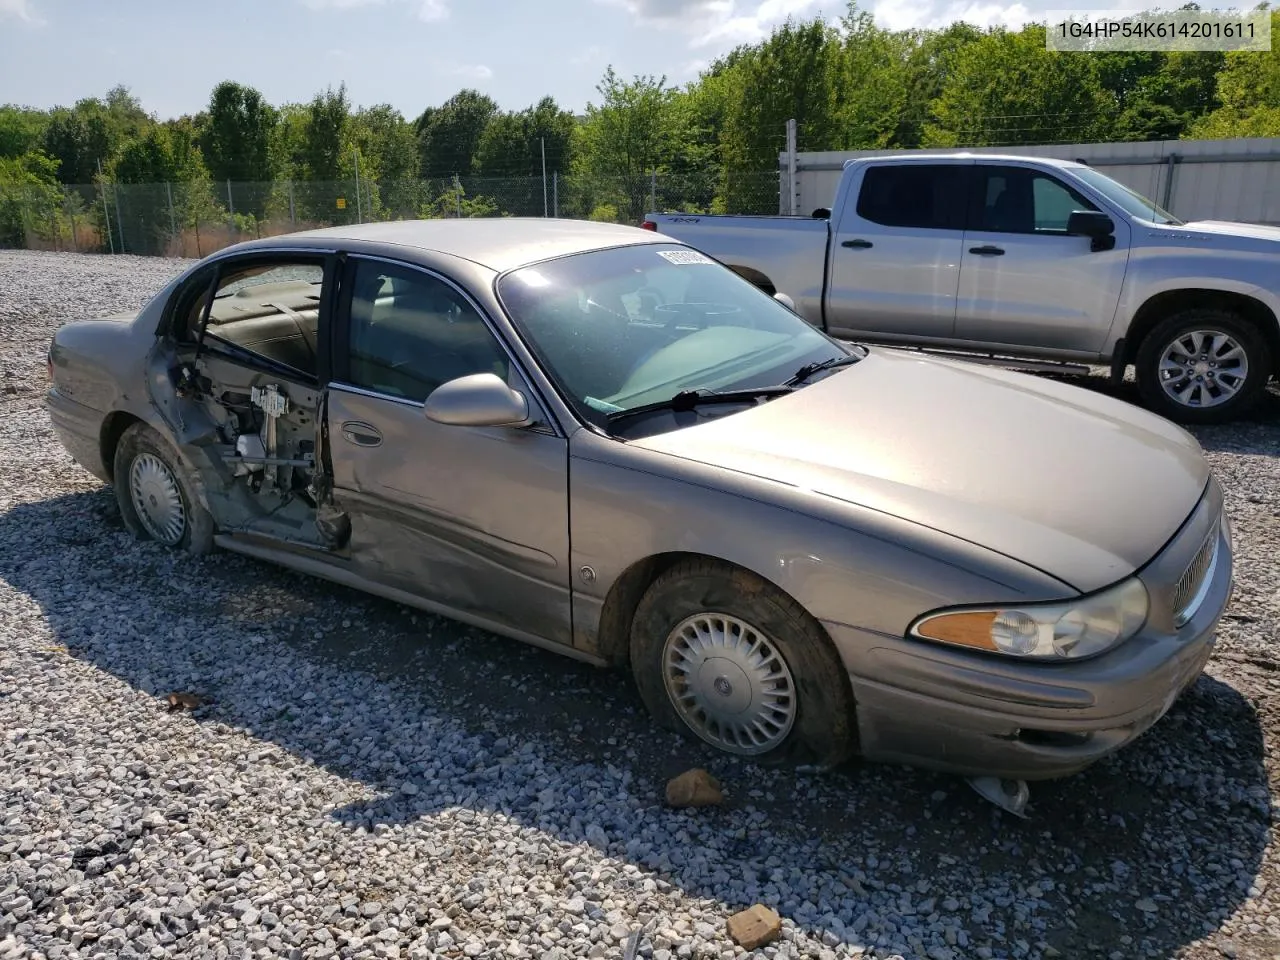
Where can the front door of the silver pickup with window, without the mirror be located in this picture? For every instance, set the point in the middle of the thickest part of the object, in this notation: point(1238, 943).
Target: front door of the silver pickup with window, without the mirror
point(1026, 284)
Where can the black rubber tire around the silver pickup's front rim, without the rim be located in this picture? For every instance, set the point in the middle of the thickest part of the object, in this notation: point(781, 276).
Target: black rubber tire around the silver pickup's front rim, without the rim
point(1213, 321)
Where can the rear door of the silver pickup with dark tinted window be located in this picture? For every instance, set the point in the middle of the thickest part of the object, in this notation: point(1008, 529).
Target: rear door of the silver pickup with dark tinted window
point(895, 252)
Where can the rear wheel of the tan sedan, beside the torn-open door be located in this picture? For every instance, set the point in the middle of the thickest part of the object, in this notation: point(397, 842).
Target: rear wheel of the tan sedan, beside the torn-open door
point(157, 496)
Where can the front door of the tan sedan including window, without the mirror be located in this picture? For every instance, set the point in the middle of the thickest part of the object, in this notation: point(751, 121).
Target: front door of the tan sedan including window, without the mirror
point(473, 519)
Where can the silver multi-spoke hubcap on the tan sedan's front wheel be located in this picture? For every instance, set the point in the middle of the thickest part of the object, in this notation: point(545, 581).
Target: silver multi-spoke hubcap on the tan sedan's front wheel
point(730, 684)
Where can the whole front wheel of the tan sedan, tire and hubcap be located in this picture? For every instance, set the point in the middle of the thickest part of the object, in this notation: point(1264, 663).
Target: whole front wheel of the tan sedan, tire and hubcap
point(721, 655)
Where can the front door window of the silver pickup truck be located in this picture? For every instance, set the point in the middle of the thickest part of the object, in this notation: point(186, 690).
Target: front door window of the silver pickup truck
point(1021, 200)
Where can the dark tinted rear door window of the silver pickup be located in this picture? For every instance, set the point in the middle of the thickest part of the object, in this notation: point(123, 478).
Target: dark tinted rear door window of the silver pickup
point(925, 196)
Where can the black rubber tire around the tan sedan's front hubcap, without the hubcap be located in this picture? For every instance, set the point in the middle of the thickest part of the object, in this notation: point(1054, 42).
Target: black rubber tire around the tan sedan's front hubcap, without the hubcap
point(824, 732)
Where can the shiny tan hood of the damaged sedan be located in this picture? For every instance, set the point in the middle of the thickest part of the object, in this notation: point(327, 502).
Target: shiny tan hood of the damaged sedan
point(1080, 486)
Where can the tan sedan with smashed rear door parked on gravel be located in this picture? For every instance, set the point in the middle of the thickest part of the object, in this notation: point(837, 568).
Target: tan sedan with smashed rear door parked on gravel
point(598, 441)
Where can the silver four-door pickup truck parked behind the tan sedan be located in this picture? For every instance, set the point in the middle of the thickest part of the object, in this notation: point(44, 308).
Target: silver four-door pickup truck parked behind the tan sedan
point(1023, 262)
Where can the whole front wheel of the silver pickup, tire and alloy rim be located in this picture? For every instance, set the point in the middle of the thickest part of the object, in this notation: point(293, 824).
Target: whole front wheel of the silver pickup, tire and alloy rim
point(1205, 365)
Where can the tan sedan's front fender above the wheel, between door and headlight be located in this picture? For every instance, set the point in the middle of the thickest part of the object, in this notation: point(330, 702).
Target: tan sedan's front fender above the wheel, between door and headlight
point(843, 564)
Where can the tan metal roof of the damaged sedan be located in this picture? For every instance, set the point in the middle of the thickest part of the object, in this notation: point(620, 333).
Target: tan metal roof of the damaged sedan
point(500, 243)
